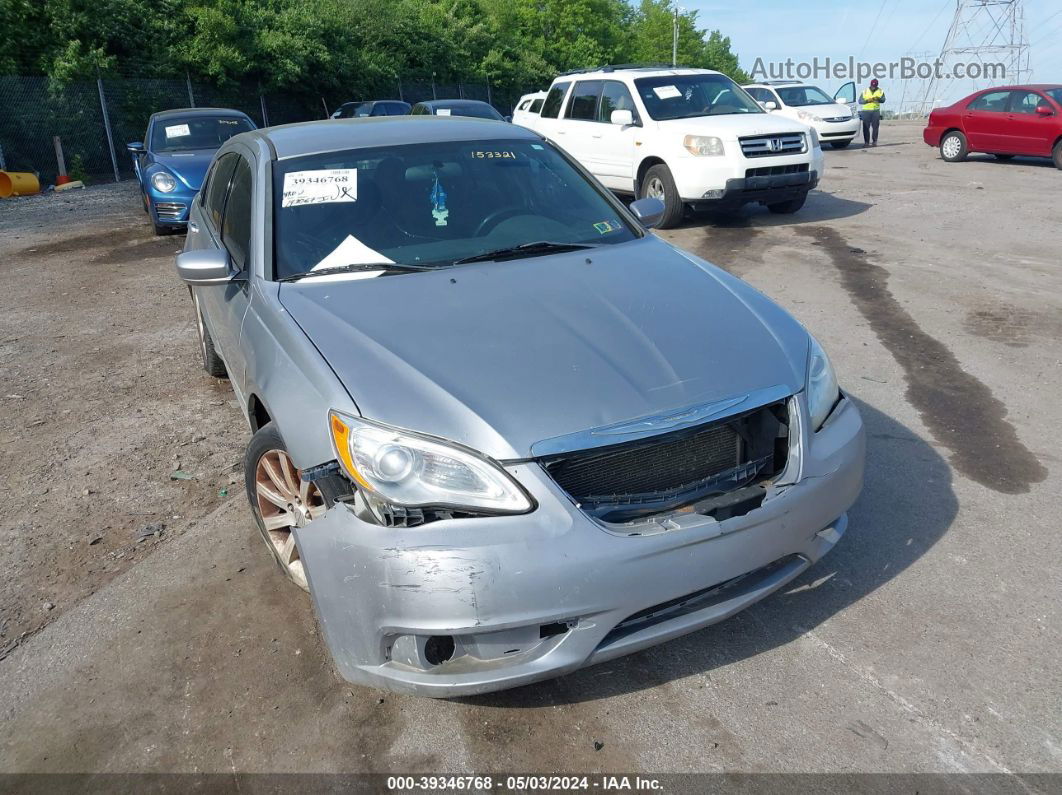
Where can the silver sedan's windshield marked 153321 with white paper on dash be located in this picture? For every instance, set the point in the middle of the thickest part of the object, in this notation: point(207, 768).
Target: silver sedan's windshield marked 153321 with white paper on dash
point(432, 204)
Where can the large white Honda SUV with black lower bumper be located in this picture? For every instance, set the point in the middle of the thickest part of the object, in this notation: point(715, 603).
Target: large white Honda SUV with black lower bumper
point(691, 137)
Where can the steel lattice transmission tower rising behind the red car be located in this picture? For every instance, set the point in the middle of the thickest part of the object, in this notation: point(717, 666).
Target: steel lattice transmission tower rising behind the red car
point(983, 33)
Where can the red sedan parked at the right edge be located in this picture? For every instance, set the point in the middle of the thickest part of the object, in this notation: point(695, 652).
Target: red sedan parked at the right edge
point(1008, 122)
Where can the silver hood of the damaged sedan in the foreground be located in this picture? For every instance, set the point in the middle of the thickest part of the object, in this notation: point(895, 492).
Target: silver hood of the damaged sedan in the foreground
point(501, 356)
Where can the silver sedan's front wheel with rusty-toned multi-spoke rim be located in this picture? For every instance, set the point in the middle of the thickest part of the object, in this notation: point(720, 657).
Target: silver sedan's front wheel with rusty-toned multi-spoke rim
point(275, 488)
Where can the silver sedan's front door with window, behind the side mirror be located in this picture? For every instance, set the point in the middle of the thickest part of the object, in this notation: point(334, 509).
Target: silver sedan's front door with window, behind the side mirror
point(227, 222)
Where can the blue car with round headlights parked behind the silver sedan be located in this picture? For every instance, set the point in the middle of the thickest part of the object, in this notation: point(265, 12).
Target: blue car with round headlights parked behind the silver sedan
point(174, 158)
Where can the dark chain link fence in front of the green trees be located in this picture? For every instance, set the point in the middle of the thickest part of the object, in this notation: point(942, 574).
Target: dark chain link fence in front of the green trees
point(94, 120)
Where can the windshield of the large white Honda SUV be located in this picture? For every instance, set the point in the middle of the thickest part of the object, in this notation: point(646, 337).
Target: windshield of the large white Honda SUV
point(689, 96)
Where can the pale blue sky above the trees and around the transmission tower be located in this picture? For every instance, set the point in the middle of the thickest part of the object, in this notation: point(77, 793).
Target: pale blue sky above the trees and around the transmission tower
point(871, 31)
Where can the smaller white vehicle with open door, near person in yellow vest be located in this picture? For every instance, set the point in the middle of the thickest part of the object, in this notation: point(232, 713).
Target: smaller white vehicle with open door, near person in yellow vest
point(831, 117)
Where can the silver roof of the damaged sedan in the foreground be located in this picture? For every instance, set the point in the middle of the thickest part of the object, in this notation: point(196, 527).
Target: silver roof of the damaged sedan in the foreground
point(314, 137)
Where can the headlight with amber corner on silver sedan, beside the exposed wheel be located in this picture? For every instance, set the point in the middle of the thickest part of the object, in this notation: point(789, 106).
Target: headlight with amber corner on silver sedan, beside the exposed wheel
point(412, 471)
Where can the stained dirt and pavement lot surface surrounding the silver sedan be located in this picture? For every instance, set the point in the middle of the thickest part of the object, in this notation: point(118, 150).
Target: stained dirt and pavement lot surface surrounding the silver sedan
point(928, 642)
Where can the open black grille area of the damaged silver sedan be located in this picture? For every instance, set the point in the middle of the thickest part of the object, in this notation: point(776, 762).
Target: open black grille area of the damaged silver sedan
point(627, 481)
